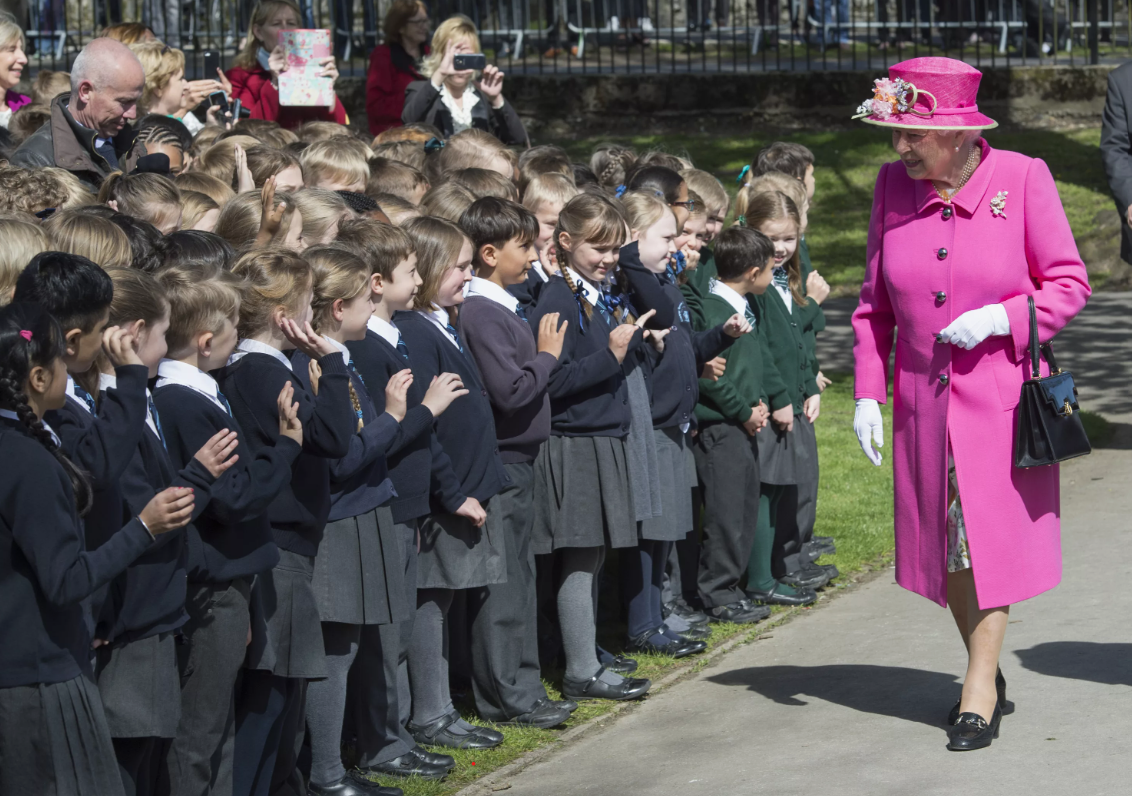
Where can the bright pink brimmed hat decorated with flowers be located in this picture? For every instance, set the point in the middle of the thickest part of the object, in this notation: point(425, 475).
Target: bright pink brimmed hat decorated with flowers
point(928, 92)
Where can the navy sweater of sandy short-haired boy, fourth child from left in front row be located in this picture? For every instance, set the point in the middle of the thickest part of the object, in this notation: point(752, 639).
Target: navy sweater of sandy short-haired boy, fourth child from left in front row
point(234, 537)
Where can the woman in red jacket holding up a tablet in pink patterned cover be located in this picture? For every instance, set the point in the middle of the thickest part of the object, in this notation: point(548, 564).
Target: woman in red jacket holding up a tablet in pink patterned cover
point(255, 76)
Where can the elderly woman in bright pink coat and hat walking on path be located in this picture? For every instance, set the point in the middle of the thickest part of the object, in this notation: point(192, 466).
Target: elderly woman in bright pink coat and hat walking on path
point(959, 237)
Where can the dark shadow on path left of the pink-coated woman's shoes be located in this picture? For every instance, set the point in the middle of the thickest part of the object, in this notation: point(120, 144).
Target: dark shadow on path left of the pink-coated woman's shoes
point(902, 694)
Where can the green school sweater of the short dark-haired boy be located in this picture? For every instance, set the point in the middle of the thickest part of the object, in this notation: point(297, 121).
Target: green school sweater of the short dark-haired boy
point(751, 375)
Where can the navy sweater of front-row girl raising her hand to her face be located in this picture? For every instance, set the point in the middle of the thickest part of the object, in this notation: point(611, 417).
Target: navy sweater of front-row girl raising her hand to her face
point(252, 386)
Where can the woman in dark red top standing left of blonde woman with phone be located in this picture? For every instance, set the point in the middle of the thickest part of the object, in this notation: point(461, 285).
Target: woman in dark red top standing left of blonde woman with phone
point(395, 66)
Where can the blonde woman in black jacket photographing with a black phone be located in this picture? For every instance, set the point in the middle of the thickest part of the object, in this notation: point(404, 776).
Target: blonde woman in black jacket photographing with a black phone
point(450, 101)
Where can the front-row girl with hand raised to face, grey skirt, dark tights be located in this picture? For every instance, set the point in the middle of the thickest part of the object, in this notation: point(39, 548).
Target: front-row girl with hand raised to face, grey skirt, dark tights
point(276, 316)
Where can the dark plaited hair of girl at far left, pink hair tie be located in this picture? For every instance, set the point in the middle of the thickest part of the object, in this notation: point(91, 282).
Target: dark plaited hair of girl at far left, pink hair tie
point(30, 338)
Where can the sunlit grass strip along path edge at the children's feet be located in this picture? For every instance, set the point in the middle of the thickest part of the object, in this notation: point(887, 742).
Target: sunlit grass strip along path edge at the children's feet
point(855, 508)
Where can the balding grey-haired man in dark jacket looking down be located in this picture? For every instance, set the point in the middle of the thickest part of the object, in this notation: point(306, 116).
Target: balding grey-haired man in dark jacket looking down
point(89, 134)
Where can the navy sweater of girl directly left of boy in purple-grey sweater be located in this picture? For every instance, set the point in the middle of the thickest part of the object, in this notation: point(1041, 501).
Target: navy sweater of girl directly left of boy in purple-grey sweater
point(467, 430)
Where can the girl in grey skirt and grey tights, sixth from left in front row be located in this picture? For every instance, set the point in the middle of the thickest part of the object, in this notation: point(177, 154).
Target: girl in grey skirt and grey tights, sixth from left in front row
point(359, 572)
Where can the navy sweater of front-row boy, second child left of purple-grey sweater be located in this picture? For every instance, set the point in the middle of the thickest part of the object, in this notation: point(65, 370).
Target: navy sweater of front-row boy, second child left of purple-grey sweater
point(414, 450)
